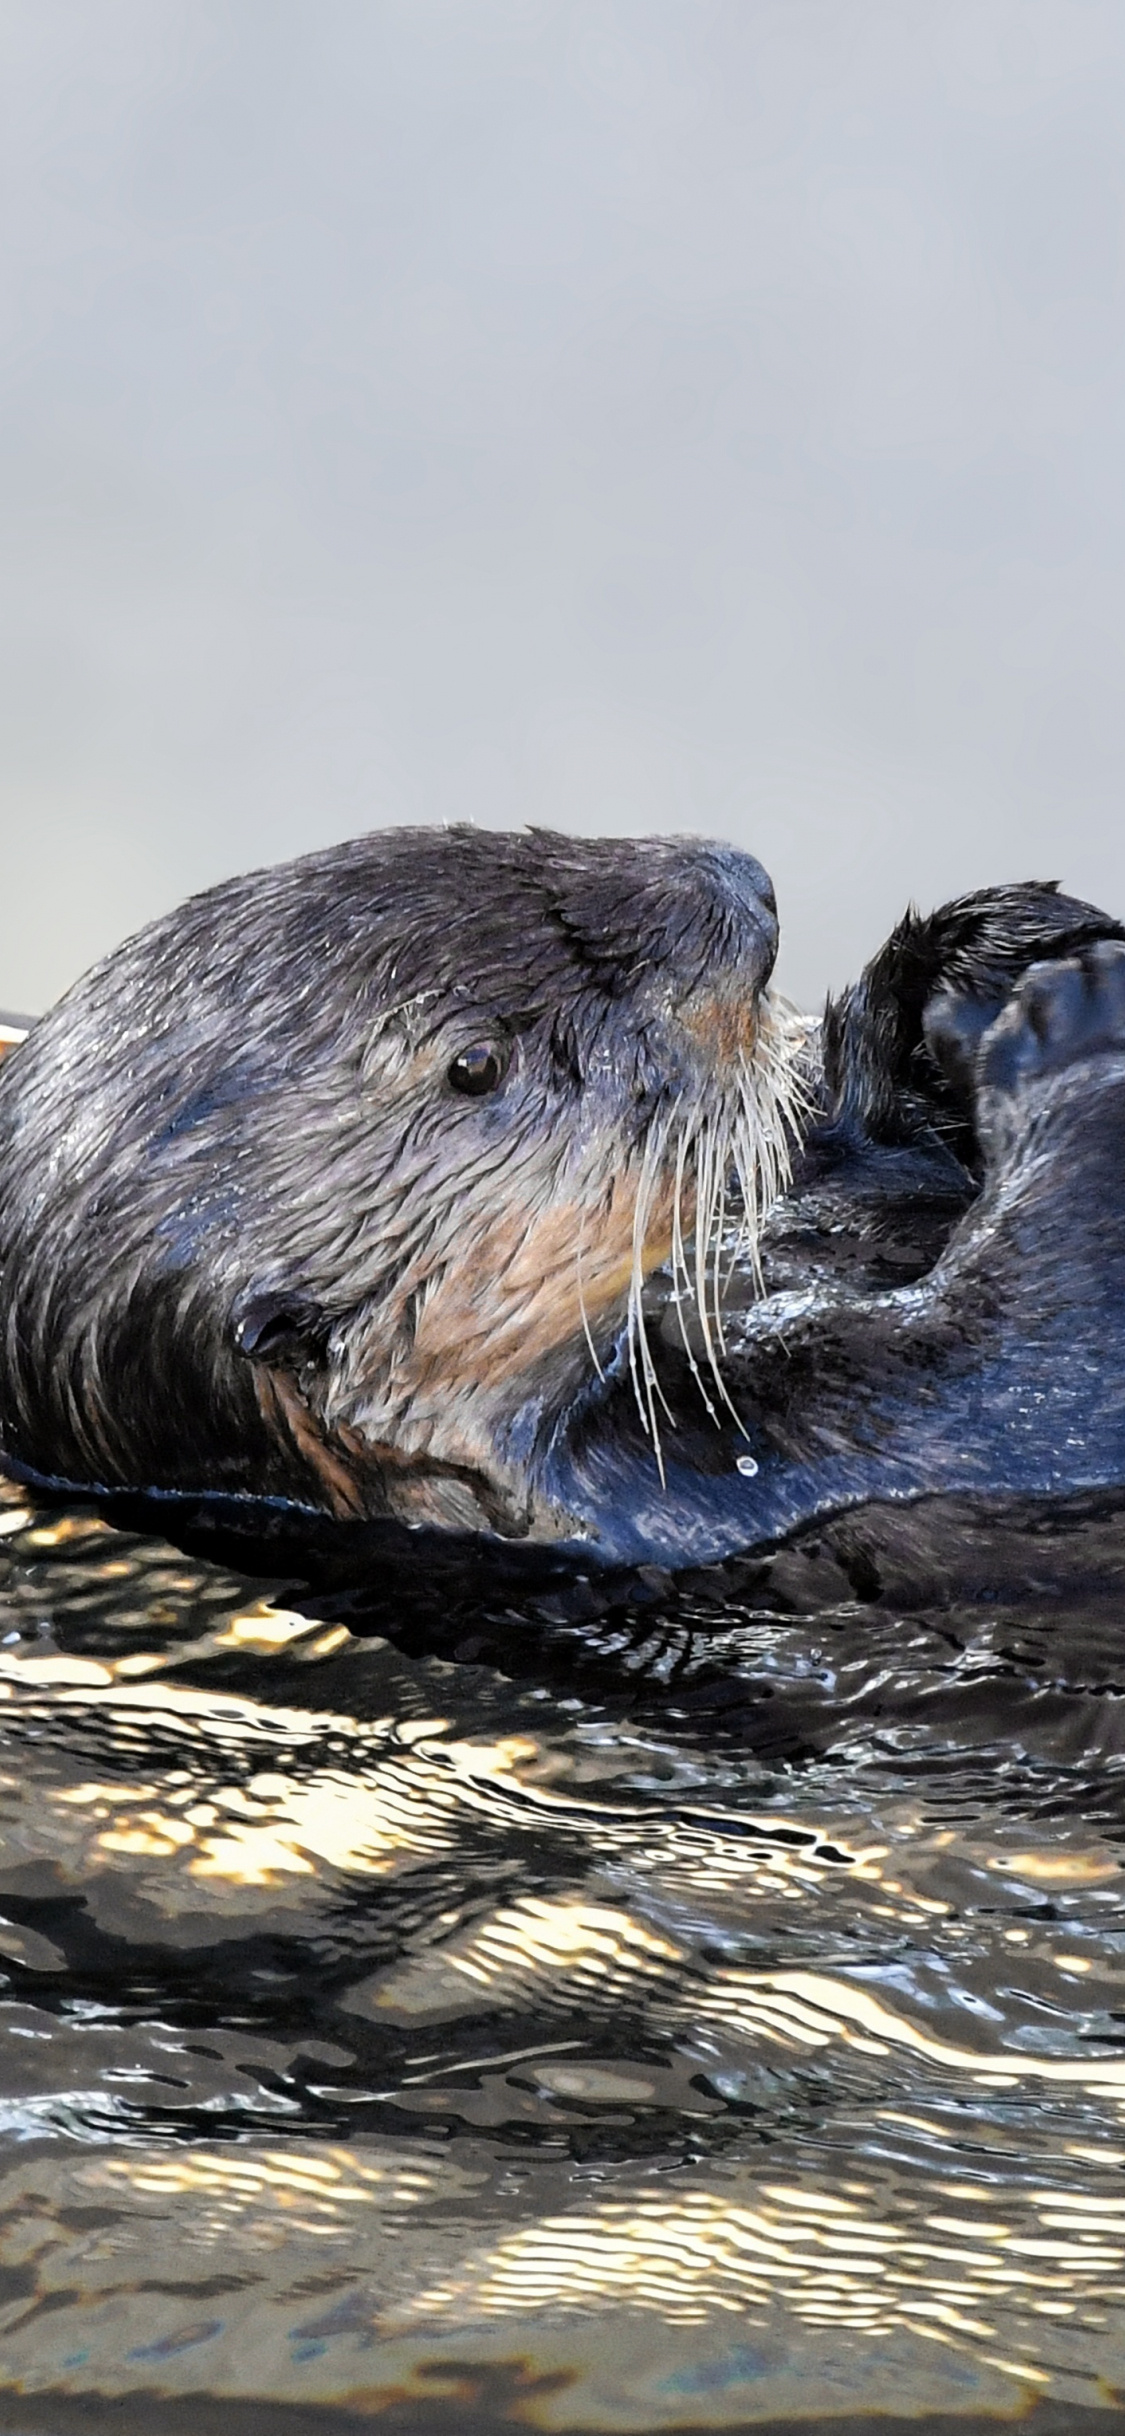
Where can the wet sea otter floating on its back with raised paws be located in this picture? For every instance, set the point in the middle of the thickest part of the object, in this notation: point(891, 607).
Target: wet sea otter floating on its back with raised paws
point(476, 1183)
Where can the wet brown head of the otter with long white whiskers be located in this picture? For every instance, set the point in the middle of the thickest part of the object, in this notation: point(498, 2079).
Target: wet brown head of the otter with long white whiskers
point(342, 1183)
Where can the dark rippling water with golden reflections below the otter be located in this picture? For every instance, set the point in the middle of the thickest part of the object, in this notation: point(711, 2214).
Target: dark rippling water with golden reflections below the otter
point(698, 2016)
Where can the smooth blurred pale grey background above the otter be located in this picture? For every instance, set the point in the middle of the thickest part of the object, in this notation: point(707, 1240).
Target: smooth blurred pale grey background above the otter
point(603, 413)
